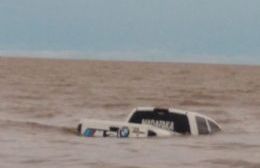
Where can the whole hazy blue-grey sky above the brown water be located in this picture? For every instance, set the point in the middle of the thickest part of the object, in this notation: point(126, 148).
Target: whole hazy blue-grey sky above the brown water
point(222, 31)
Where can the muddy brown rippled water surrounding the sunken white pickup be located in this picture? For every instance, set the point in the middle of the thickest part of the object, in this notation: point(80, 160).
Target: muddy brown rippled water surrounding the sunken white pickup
point(41, 101)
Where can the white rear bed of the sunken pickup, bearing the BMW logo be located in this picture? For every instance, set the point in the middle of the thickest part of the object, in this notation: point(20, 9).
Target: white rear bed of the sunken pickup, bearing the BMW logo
point(102, 128)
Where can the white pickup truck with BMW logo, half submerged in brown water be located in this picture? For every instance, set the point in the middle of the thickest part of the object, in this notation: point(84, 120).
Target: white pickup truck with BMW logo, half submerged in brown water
point(150, 122)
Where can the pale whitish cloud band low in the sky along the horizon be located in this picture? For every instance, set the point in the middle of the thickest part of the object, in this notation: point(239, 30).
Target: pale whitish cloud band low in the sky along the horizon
point(129, 56)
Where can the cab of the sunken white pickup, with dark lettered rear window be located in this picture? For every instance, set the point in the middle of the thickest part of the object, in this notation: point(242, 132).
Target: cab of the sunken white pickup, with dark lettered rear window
point(175, 120)
